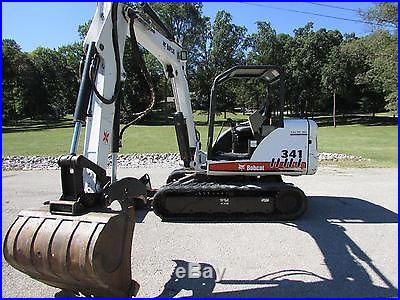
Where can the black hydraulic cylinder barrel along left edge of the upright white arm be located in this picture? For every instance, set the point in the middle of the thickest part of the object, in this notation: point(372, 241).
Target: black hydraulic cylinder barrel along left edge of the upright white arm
point(85, 90)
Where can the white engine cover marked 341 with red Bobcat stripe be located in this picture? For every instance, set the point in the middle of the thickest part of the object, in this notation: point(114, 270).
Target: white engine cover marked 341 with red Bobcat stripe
point(291, 150)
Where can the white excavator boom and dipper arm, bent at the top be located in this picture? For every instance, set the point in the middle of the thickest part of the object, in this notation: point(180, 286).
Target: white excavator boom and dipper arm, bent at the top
point(104, 47)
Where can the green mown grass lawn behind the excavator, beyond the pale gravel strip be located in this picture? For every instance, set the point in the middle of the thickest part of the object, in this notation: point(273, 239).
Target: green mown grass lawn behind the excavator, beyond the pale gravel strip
point(377, 143)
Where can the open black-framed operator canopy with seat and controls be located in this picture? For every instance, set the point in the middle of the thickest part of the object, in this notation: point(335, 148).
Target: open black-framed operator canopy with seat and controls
point(236, 142)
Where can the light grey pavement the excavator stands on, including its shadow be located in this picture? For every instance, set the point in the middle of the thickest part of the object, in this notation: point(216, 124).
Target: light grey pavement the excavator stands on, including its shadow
point(345, 245)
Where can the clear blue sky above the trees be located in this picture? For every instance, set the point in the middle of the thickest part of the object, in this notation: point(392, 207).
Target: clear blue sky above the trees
point(51, 24)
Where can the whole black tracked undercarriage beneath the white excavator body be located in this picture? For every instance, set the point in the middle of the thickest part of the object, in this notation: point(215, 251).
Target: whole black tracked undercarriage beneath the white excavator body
point(218, 198)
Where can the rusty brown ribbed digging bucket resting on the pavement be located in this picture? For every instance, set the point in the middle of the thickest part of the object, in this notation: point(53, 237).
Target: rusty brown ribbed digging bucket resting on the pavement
point(88, 254)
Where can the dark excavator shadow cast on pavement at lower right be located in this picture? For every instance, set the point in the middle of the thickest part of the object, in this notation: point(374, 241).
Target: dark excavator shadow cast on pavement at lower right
point(344, 259)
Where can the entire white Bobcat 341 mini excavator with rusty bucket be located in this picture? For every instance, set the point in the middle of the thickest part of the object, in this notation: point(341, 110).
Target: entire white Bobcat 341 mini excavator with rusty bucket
point(79, 243)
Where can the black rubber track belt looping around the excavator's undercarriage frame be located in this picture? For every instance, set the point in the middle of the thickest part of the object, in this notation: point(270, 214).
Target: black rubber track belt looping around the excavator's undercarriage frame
point(213, 186)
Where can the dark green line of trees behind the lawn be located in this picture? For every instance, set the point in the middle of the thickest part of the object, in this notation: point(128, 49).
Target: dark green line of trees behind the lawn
point(360, 71)
